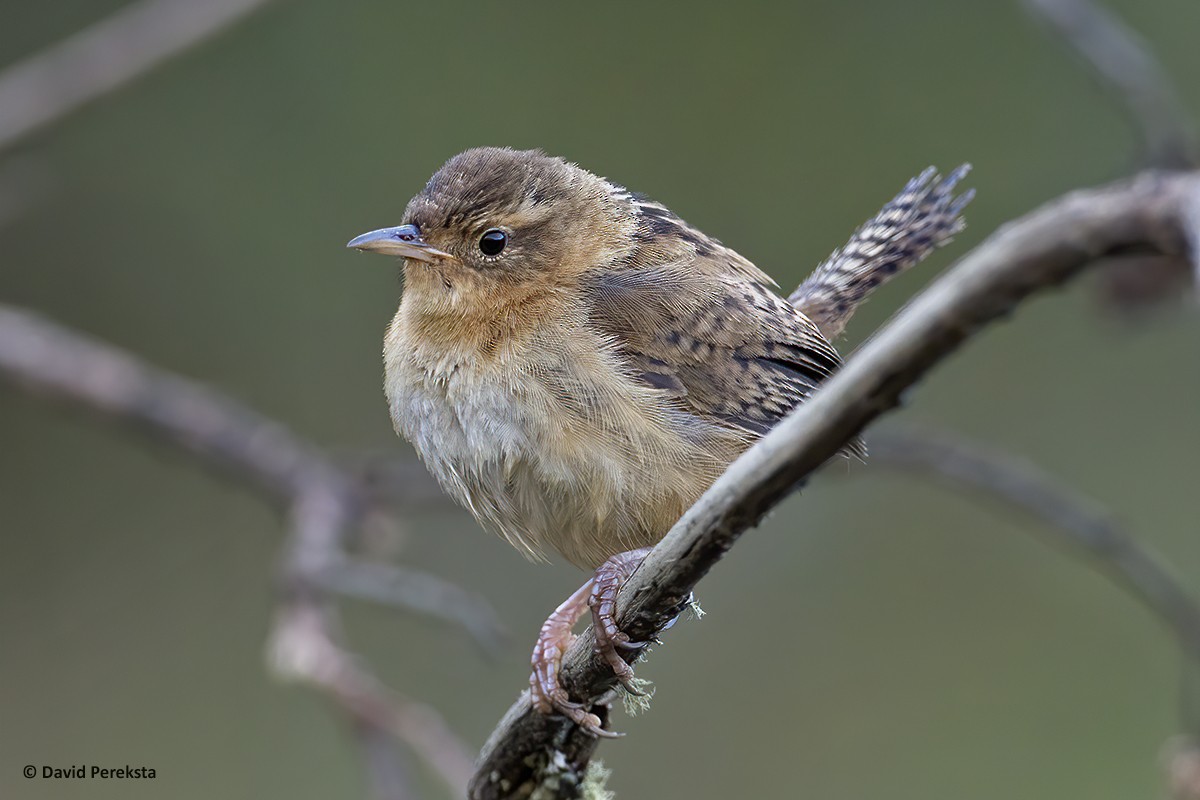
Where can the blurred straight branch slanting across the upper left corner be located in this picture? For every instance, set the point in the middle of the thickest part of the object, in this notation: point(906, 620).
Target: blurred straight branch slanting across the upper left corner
point(105, 57)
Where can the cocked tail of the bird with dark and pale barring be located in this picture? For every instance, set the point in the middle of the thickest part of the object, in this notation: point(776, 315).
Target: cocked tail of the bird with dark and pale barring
point(922, 218)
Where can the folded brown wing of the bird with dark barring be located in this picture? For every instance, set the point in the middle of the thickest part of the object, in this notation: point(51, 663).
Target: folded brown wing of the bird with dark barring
point(706, 332)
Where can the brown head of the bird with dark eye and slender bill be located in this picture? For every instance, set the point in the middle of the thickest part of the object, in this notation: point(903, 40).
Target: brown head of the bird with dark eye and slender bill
point(495, 221)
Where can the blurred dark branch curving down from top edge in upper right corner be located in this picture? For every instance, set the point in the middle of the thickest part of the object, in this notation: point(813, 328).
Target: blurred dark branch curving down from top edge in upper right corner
point(1126, 68)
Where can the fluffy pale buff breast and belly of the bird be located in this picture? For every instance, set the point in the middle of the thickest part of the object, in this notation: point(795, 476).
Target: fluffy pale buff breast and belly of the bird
point(551, 446)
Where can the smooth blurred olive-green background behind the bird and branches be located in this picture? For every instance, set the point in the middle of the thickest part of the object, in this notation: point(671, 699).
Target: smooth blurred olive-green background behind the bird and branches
point(877, 637)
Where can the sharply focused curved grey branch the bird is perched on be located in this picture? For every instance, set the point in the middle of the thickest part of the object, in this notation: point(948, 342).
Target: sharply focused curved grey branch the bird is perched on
point(1036, 252)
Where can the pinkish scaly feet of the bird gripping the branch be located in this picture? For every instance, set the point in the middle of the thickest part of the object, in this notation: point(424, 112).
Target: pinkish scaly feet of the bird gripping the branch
point(601, 596)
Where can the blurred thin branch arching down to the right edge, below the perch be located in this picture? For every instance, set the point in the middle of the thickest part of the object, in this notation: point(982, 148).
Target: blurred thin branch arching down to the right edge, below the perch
point(1073, 521)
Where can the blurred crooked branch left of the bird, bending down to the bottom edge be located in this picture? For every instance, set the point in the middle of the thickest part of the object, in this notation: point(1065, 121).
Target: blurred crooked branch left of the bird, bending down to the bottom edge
point(325, 504)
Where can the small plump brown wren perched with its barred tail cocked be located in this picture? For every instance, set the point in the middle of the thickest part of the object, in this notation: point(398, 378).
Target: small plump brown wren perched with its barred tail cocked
point(577, 365)
